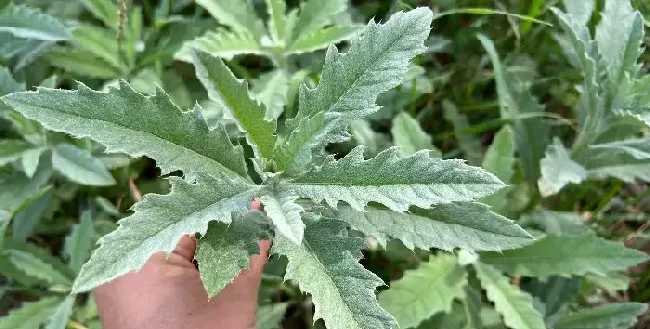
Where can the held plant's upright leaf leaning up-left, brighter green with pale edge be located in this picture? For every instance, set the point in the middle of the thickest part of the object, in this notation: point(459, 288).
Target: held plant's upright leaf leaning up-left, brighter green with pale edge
point(224, 88)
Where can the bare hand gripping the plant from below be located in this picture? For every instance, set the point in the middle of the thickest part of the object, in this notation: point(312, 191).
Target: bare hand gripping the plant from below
point(168, 294)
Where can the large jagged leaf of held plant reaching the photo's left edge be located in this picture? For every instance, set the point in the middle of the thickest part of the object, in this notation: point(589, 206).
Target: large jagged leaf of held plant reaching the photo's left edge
point(153, 125)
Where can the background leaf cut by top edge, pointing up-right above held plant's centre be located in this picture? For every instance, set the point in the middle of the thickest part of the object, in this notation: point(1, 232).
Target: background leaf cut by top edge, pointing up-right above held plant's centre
point(315, 14)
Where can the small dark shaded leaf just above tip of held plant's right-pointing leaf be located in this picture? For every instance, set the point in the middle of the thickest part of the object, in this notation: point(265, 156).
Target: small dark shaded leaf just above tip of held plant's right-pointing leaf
point(469, 143)
